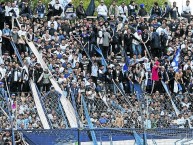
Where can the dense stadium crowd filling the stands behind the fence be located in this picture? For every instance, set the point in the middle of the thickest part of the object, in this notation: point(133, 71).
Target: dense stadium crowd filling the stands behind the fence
point(139, 50)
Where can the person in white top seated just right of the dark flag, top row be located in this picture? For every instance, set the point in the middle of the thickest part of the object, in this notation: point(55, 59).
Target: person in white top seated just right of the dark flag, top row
point(102, 10)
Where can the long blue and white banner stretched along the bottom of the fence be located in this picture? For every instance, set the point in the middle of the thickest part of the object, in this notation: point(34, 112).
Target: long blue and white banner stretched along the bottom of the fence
point(110, 136)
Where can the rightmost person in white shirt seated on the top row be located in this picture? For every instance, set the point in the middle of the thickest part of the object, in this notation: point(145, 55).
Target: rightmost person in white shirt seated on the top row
point(186, 11)
